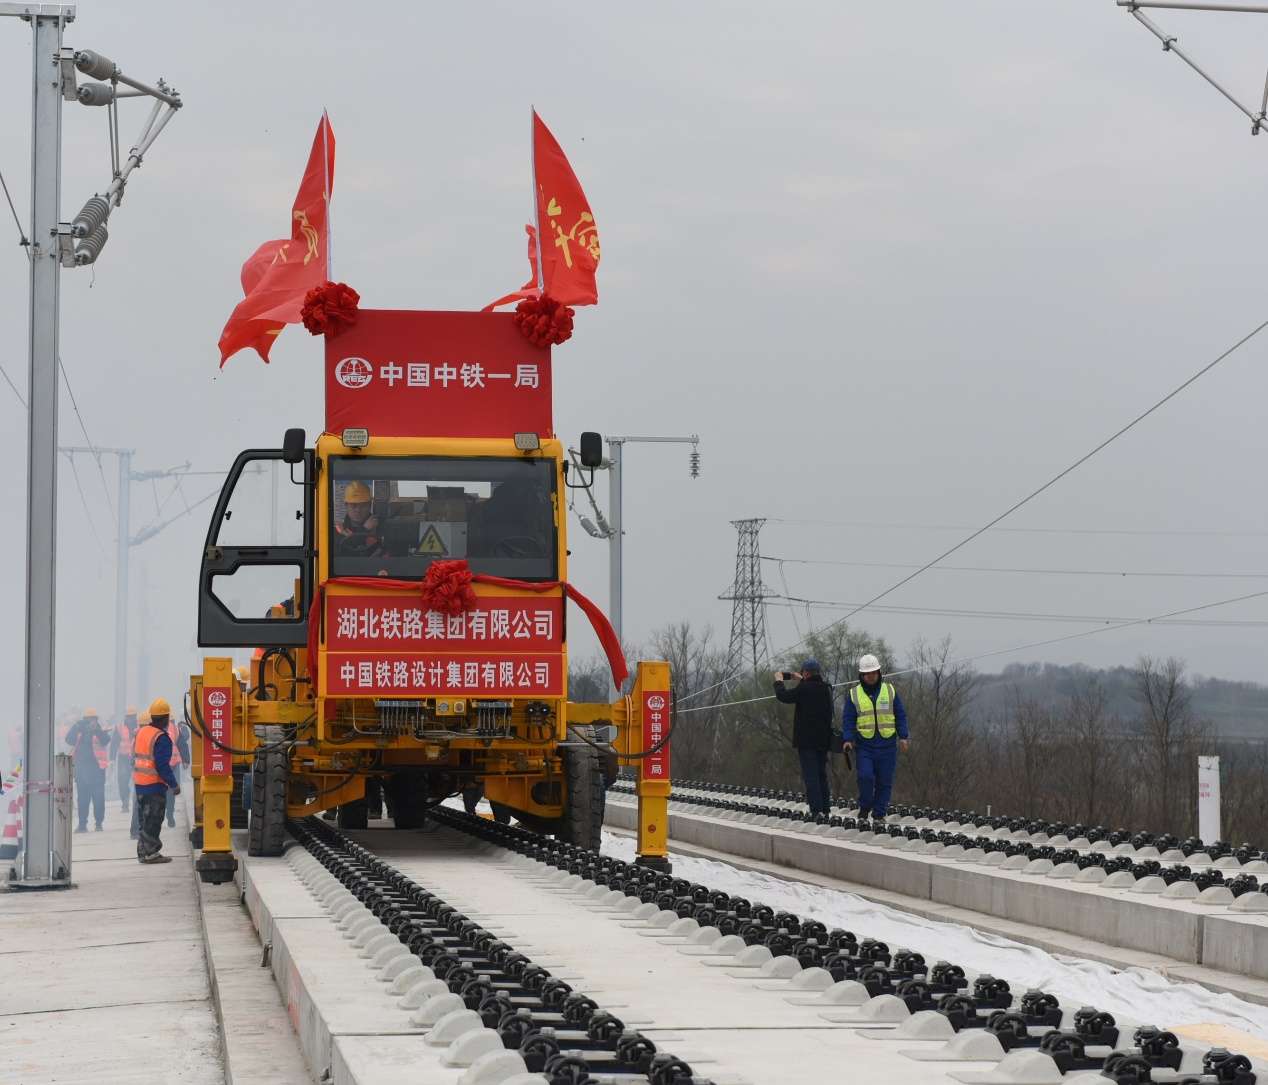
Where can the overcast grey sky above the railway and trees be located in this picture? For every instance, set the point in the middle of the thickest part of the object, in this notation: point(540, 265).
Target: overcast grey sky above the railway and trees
point(896, 264)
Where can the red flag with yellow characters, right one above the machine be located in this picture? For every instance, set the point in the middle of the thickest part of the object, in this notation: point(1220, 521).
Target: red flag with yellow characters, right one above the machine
point(567, 238)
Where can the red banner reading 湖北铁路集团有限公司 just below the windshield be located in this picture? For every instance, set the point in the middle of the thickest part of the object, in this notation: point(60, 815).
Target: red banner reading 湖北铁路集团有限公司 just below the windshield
point(510, 624)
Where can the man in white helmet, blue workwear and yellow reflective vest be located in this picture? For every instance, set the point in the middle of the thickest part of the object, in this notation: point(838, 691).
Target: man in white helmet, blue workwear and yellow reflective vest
point(874, 726)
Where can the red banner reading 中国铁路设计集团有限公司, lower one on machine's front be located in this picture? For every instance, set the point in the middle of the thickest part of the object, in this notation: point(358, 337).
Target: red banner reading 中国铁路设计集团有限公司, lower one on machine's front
point(469, 675)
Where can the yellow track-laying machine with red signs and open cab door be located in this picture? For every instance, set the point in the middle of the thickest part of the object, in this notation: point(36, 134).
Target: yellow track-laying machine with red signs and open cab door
point(410, 634)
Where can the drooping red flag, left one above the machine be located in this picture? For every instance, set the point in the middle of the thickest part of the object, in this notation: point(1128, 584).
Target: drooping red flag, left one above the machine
point(280, 273)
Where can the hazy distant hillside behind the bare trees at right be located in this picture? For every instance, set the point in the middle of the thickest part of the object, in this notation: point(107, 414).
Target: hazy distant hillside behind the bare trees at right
point(1239, 710)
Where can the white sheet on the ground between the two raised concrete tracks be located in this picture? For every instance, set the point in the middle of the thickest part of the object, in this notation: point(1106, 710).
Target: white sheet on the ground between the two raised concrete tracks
point(1137, 994)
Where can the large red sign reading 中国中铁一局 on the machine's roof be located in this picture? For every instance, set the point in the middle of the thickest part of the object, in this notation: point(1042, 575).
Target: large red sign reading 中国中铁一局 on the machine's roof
point(401, 373)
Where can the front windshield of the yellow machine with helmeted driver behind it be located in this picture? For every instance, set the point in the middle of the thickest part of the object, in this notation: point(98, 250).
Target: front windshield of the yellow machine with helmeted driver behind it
point(392, 517)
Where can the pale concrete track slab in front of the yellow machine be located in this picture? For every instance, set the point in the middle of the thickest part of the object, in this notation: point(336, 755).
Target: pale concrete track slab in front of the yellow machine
point(730, 1030)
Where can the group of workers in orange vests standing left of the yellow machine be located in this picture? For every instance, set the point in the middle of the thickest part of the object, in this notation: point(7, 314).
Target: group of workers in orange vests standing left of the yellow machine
point(149, 751)
